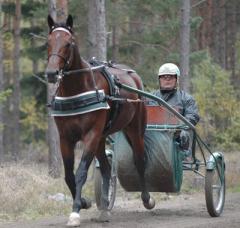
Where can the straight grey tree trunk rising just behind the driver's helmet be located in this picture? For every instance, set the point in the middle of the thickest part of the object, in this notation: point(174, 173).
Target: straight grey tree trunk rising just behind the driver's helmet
point(185, 45)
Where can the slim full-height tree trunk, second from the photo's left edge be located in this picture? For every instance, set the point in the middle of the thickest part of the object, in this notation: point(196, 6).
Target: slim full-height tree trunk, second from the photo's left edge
point(16, 83)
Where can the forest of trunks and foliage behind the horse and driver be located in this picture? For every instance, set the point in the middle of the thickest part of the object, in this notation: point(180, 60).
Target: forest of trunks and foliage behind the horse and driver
point(140, 33)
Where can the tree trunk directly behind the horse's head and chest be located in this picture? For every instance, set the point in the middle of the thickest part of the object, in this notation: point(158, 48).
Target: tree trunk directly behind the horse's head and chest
point(54, 159)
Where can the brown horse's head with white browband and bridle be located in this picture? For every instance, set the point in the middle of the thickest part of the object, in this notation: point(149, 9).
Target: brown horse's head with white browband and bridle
point(60, 48)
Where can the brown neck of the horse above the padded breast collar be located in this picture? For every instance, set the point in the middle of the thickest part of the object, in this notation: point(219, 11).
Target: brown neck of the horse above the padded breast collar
point(79, 82)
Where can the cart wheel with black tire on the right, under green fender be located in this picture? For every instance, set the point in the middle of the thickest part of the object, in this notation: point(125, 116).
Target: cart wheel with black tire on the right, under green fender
point(215, 189)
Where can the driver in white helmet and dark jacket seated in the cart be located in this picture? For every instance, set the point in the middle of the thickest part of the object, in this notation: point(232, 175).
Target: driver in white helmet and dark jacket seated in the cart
point(169, 91)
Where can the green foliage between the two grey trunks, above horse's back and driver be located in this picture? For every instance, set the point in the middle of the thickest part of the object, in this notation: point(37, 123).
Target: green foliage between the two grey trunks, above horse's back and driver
point(148, 34)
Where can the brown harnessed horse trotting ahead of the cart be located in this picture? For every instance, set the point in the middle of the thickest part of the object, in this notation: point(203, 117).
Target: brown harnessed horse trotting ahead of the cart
point(96, 115)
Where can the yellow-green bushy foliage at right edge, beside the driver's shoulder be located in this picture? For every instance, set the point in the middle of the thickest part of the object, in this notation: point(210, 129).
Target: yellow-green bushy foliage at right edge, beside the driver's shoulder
point(218, 104)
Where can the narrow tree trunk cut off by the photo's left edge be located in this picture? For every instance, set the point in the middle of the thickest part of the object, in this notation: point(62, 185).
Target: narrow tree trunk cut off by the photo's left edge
point(1, 89)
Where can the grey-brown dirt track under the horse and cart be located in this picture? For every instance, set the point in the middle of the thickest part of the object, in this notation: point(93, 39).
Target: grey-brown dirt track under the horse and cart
point(179, 211)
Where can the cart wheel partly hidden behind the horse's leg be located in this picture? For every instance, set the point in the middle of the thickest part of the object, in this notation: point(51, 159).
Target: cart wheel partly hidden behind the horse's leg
point(98, 191)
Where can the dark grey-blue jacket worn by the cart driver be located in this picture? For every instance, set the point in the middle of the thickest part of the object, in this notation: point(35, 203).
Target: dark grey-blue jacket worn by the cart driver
point(183, 101)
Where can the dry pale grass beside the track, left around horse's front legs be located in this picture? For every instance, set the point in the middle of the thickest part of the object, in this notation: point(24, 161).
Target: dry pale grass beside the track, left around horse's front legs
point(26, 189)
